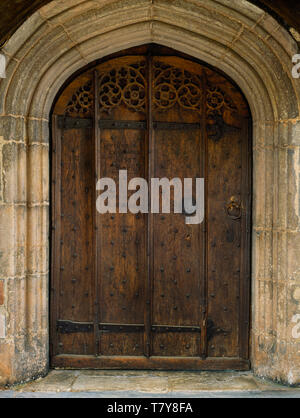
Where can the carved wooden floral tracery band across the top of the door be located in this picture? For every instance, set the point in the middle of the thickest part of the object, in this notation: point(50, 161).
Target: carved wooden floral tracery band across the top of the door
point(126, 84)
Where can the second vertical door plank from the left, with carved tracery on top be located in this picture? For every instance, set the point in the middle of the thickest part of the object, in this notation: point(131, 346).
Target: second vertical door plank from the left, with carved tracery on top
point(123, 266)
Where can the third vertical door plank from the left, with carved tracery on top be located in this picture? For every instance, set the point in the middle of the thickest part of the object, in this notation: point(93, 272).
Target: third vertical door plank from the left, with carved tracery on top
point(178, 251)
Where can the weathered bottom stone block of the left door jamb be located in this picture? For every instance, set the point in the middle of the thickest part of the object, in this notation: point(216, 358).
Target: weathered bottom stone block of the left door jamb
point(28, 325)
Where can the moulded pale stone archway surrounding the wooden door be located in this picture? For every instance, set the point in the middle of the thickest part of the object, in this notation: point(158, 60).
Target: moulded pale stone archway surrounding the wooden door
point(62, 37)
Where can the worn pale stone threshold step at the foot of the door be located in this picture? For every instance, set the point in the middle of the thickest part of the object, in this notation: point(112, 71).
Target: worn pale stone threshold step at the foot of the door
point(126, 384)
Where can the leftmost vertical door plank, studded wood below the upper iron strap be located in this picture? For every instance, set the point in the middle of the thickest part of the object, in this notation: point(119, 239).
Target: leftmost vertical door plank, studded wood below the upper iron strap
point(76, 247)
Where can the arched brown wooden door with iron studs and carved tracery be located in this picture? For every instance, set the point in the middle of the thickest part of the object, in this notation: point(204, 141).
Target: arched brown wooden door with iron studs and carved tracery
point(148, 291)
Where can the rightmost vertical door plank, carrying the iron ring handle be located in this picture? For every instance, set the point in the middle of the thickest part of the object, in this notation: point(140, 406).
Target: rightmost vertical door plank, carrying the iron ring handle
point(224, 243)
